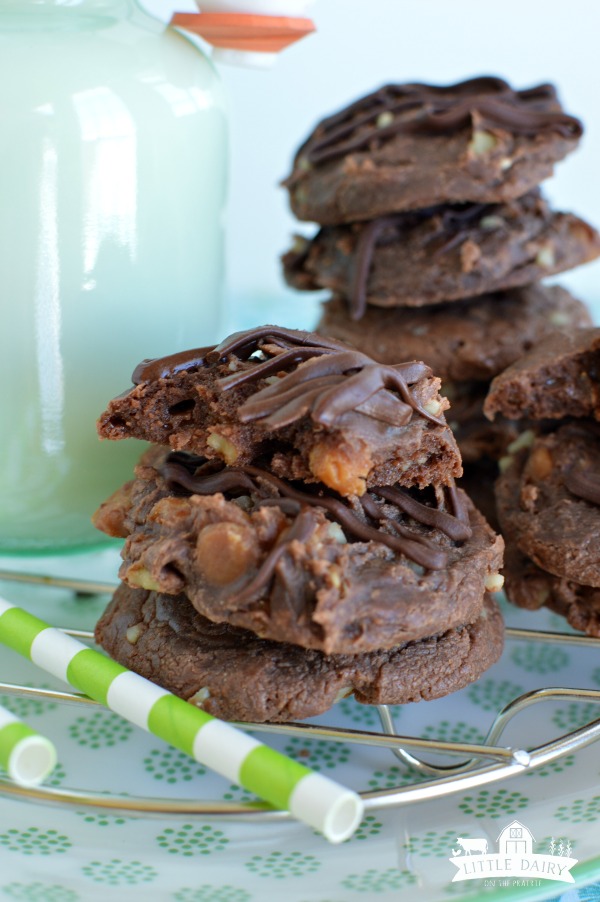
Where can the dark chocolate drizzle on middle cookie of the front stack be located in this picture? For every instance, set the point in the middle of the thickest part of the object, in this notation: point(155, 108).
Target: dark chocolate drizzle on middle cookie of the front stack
point(197, 476)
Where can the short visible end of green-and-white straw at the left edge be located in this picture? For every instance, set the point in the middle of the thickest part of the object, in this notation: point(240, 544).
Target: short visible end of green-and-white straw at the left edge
point(24, 754)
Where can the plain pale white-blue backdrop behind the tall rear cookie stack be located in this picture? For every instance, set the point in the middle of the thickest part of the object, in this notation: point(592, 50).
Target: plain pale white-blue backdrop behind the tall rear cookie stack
point(362, 45)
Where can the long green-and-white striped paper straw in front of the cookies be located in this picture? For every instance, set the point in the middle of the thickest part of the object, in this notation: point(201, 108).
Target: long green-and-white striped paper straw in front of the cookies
point(310, 797)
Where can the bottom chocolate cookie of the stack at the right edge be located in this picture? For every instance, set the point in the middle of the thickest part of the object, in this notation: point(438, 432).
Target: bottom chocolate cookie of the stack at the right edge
point(528, 586)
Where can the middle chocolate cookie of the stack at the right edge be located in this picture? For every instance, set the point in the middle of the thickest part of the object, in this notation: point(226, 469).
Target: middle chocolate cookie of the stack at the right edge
point(548, 499)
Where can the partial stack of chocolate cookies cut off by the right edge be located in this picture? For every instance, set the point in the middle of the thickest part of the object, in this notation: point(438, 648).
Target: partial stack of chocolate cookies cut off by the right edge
point(548, 493)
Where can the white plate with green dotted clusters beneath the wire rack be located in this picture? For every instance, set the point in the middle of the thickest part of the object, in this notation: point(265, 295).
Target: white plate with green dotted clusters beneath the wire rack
point(50, 854)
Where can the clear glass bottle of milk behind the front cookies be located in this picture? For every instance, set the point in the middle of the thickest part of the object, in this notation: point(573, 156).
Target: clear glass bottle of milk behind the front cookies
point(112, 182)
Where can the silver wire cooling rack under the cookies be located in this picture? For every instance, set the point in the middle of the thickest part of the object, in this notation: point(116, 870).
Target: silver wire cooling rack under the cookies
point(464, 765)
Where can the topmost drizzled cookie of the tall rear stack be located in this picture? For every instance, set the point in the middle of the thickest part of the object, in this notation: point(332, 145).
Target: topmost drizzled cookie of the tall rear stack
point(411, 146)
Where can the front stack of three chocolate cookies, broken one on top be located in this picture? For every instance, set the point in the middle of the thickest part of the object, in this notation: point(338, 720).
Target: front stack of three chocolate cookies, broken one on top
point(294, 534)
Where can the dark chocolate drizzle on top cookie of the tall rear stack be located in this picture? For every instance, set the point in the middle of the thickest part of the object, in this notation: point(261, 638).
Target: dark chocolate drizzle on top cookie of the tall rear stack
point(433, 109)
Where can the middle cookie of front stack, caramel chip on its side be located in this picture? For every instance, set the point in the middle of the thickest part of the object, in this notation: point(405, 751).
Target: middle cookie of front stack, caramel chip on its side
point(301, 565)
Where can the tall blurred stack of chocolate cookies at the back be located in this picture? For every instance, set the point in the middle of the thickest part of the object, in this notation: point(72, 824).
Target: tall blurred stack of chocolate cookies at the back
point(434, 238)
